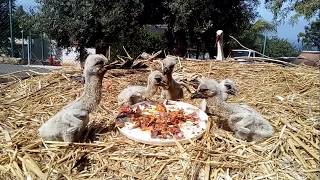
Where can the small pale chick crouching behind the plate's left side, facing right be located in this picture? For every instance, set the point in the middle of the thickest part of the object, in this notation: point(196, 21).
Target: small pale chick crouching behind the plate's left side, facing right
point(134, 94)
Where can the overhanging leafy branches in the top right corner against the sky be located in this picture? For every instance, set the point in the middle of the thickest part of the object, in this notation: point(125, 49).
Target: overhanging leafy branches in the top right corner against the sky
point(305, 8)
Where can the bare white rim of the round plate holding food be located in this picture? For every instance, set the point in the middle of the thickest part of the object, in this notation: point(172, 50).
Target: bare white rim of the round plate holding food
point(138, 135)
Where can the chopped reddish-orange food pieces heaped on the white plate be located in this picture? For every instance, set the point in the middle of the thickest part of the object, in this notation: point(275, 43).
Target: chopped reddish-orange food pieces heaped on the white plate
point(162, 120)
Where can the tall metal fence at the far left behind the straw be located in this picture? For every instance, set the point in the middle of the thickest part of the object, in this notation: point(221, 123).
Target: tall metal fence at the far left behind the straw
point(17, 43)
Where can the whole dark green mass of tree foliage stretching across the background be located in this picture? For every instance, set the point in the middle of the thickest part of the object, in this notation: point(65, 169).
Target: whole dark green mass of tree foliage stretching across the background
point(191, 23)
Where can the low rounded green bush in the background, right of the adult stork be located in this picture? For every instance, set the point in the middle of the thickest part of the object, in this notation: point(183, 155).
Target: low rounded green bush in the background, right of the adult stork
point(277, 47)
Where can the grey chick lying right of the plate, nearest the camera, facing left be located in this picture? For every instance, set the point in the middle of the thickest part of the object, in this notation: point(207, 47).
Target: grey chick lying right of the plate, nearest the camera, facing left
point(247, 123)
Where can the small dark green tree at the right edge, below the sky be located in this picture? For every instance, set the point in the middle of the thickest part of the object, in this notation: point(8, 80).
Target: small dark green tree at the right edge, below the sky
point(311, 37)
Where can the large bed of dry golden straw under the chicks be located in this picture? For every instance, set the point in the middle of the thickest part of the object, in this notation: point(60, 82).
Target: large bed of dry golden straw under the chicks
point(287, 97)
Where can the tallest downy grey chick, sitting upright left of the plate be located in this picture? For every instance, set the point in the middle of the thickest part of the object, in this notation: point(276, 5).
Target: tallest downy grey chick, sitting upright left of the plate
point(68, 124)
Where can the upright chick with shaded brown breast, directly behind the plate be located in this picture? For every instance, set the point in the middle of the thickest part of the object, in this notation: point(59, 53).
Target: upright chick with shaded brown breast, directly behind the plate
point(174, 91)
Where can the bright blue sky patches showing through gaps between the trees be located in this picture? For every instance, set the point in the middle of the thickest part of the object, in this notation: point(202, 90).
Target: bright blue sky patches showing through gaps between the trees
point(286, 30)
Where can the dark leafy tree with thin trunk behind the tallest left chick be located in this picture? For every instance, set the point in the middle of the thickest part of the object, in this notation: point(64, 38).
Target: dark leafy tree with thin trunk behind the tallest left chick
point(89, 23)
